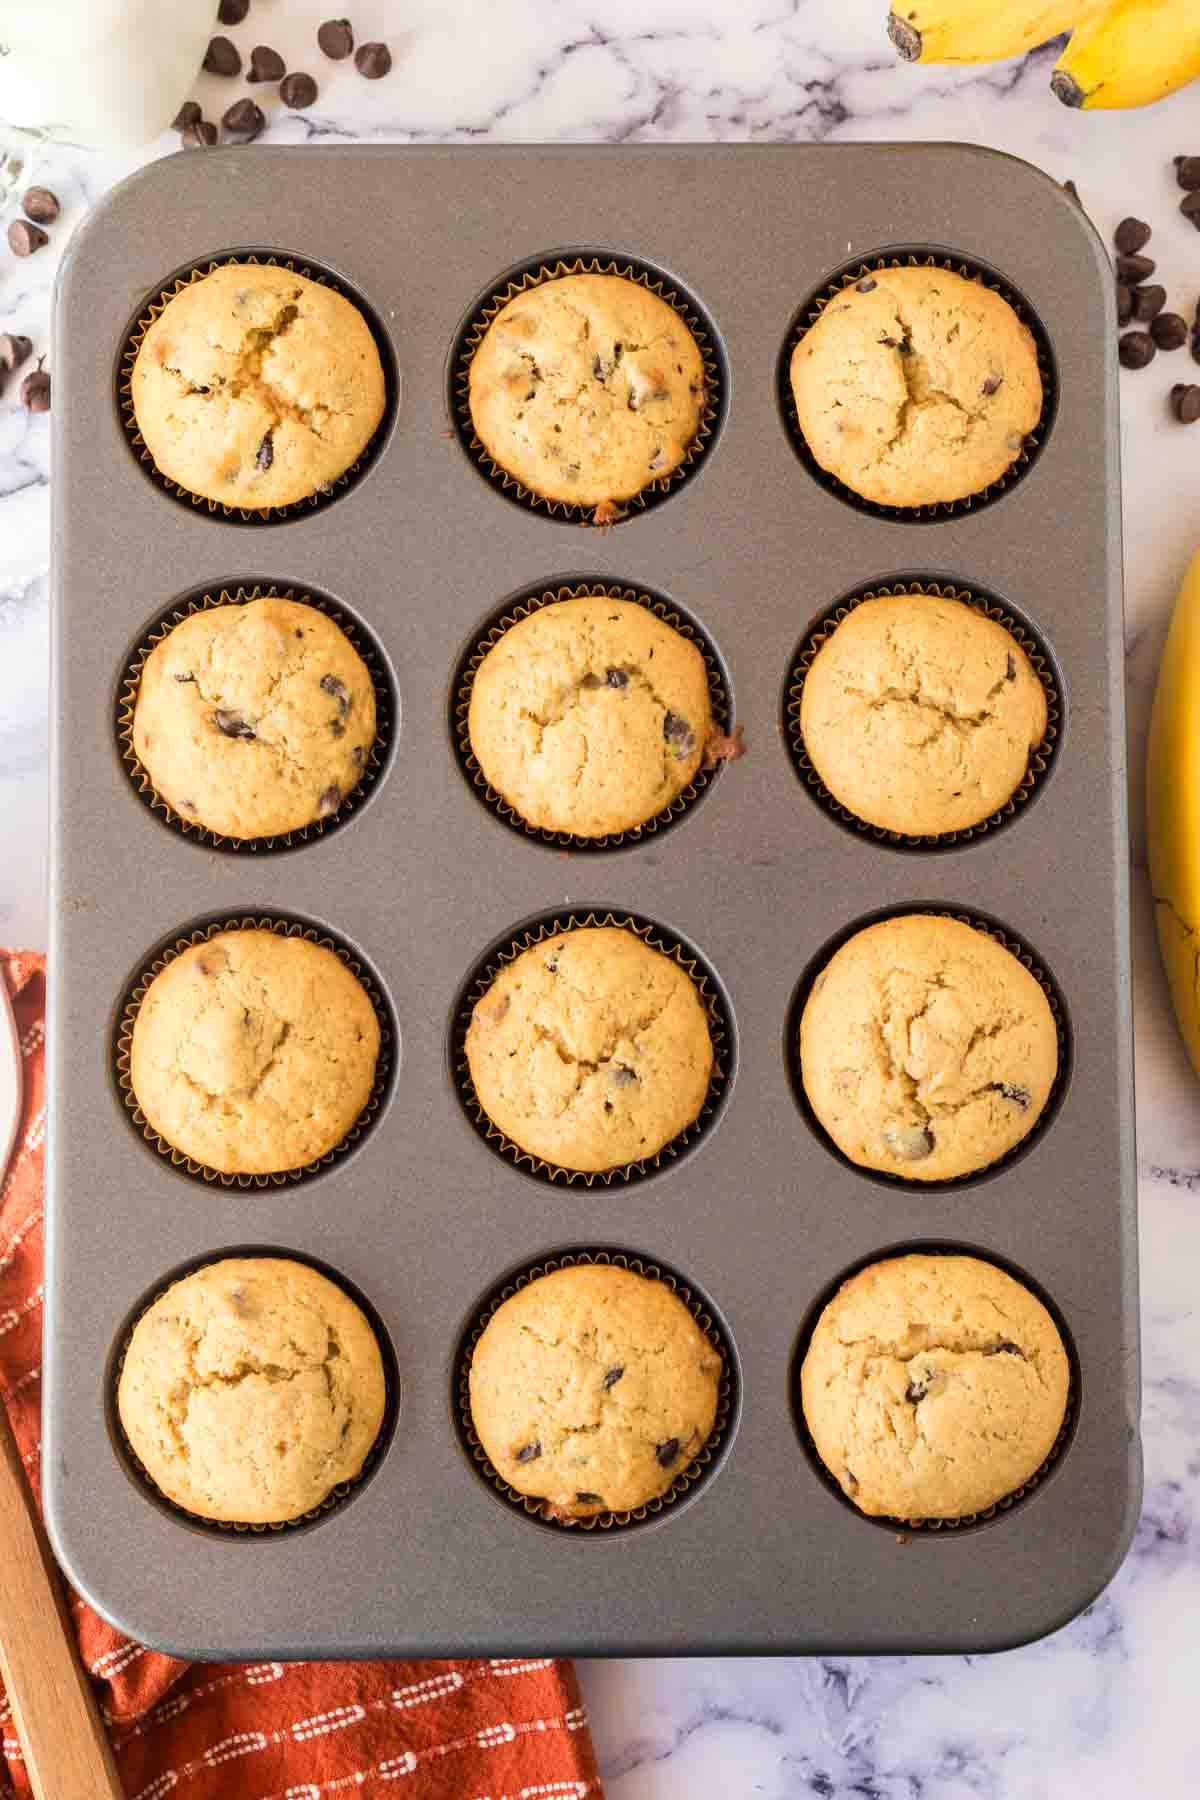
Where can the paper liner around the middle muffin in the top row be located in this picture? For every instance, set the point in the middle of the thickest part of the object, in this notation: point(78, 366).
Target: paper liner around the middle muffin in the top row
point(532, 276)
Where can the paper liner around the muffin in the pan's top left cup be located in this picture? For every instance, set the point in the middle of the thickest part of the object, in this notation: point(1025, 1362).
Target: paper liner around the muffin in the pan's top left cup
point(145, 319)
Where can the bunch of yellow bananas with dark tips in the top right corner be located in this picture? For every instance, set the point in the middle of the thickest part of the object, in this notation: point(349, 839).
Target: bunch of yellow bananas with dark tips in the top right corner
point(1122, 53)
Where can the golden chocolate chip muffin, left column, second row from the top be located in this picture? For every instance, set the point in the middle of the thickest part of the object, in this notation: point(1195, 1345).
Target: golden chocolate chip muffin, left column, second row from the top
point(255, 719)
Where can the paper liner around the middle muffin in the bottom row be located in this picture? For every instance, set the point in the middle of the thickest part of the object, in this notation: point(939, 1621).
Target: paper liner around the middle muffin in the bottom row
point(688, 1482)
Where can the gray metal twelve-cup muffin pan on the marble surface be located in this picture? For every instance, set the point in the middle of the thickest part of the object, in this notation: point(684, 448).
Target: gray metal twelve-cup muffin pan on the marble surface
point(762, 1216)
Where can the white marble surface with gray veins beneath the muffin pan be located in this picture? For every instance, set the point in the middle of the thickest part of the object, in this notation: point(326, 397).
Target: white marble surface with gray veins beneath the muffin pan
point(1111, 1702)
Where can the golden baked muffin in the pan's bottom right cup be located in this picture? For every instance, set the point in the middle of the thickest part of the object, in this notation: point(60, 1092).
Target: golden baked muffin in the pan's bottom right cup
point(935, 1387)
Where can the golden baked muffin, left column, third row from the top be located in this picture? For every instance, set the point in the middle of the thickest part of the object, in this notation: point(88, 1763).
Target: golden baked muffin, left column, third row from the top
point(255, 1054)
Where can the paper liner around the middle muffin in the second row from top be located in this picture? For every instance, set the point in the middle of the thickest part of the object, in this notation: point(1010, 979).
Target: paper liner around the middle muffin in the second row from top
point(521, 609)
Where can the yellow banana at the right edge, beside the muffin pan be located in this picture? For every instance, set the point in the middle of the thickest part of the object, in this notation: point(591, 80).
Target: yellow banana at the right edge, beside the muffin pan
point(1174, 809)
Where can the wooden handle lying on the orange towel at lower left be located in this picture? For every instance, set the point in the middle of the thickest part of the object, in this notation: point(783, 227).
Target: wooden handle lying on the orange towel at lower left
point(62, 1738)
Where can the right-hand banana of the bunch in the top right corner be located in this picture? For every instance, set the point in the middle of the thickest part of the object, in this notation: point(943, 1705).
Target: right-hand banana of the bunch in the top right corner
point(1131, 53)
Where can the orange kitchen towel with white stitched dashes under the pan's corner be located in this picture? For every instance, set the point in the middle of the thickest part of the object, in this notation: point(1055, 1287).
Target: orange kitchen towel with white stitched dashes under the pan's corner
point(452, 1731)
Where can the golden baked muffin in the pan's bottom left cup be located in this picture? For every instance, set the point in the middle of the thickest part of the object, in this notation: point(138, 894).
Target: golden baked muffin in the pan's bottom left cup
point(251, 1390)
